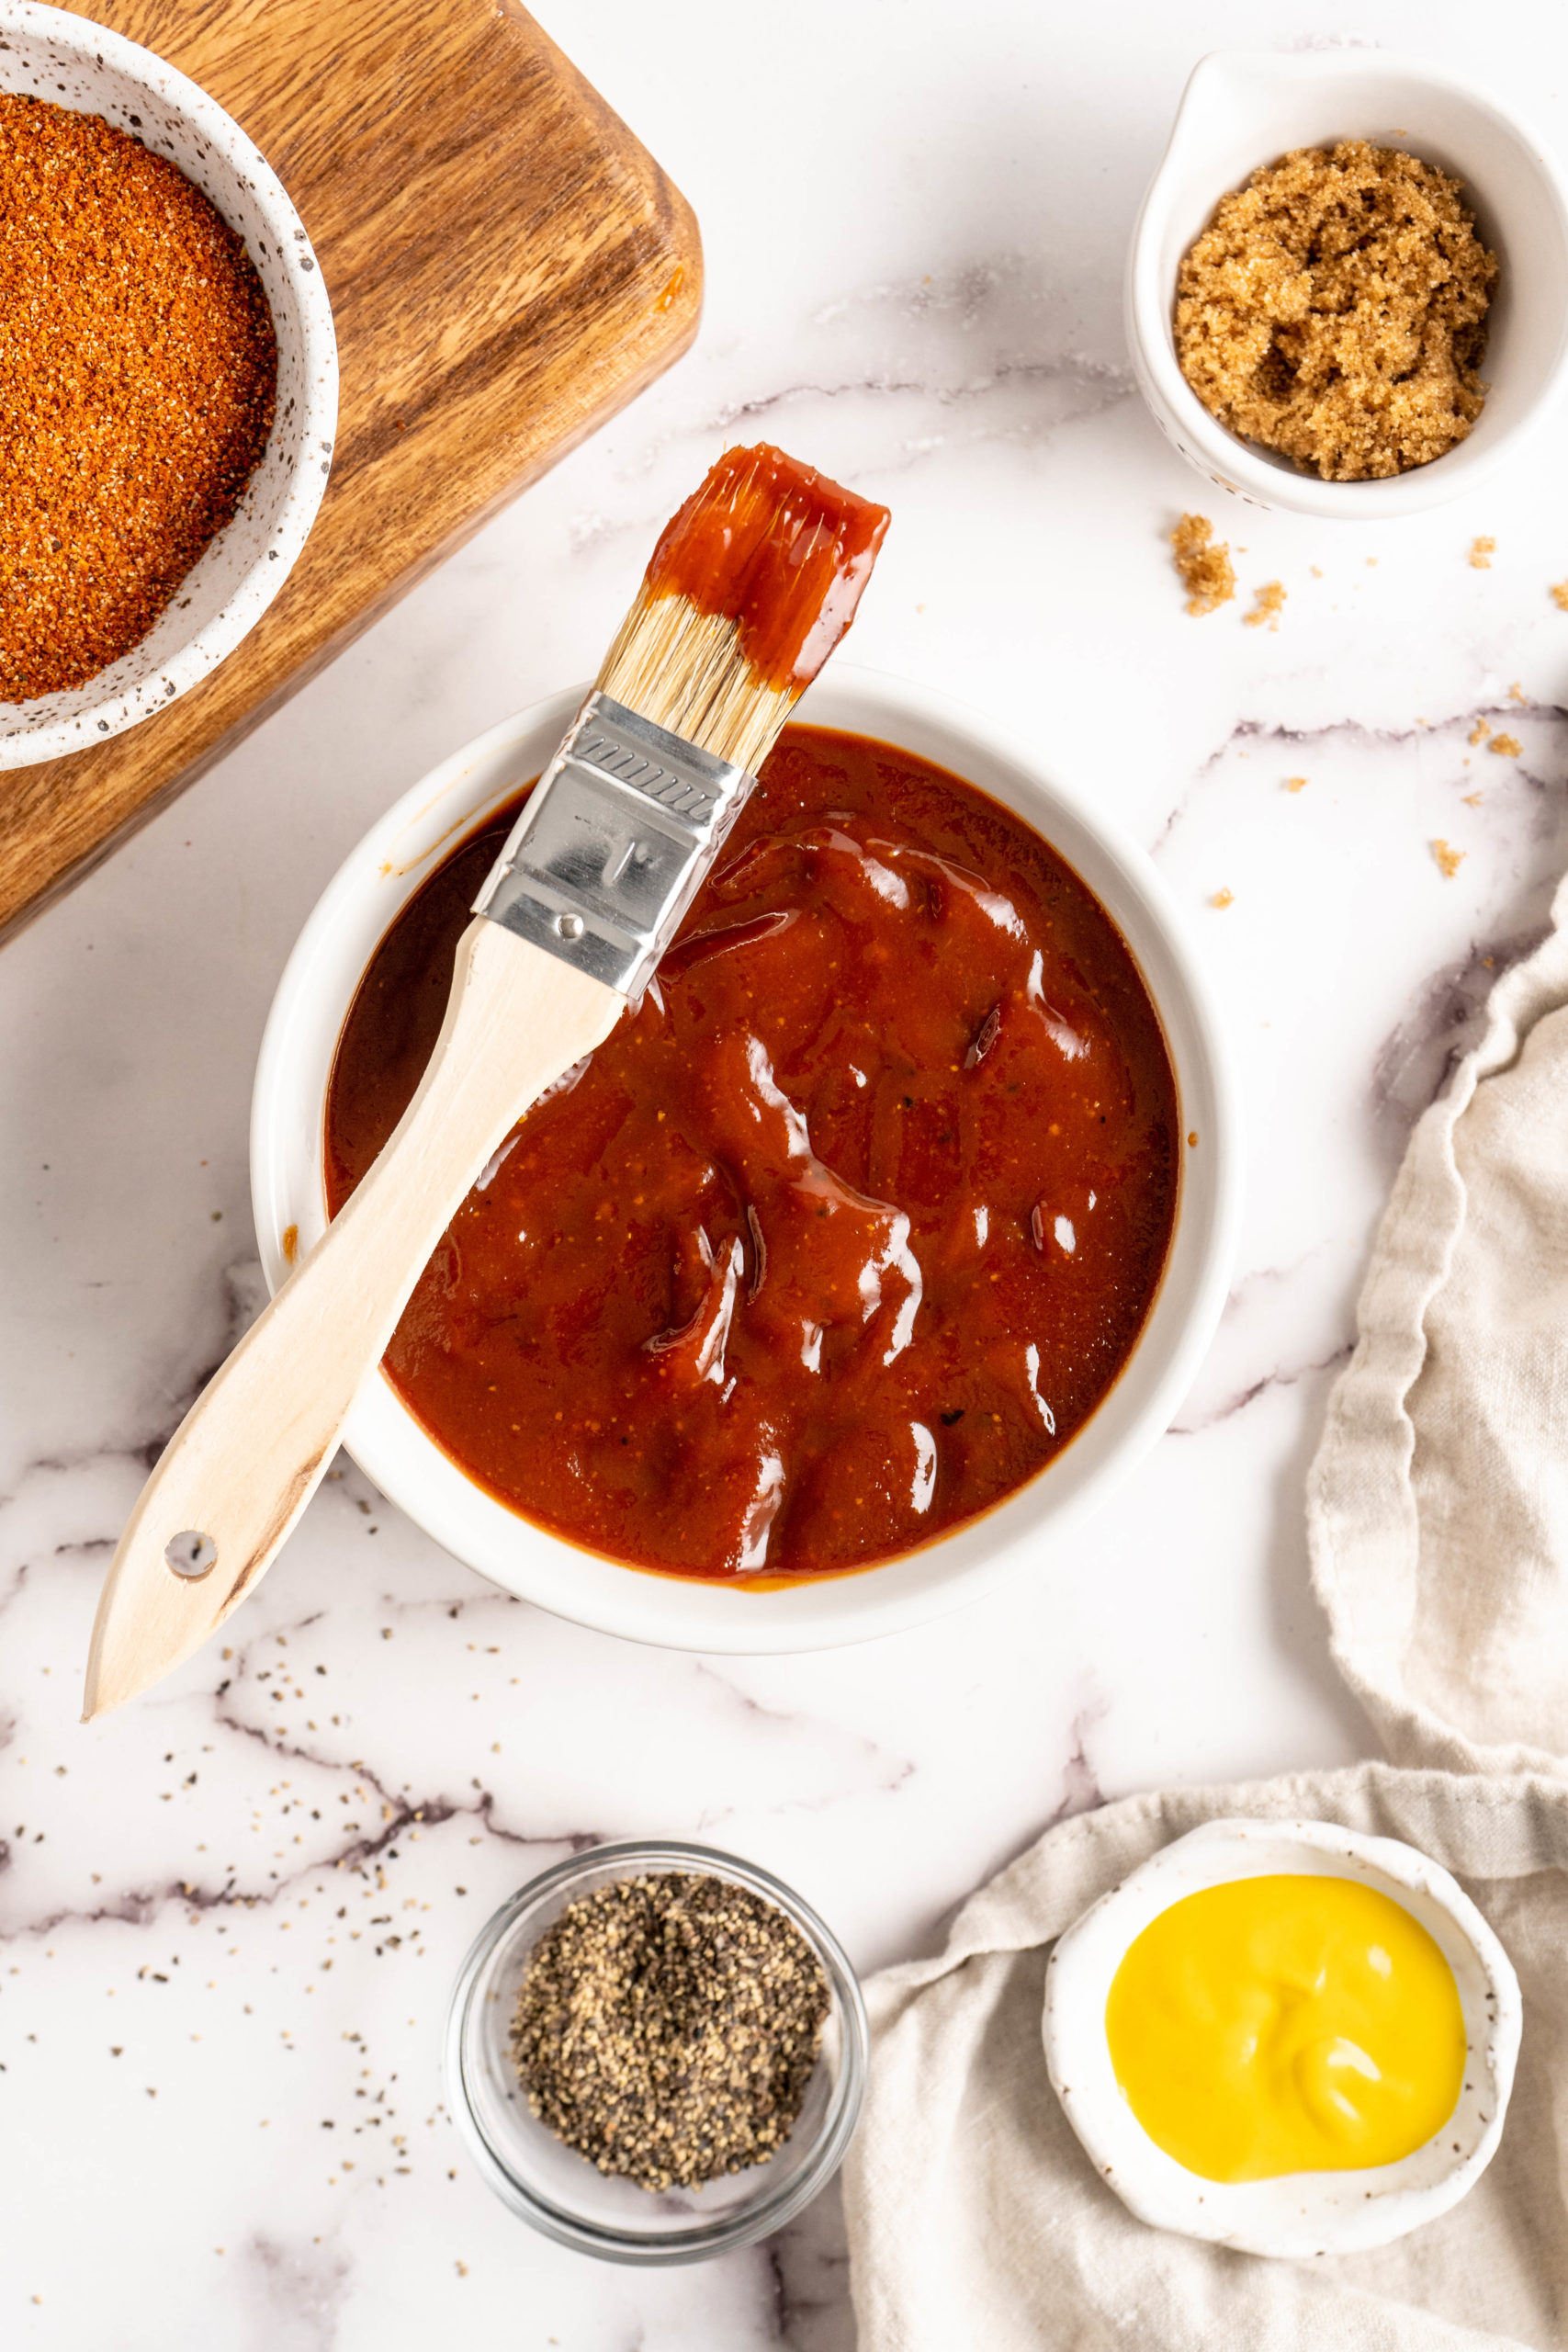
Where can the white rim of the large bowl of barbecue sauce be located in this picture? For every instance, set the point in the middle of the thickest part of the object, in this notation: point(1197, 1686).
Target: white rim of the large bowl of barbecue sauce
point(671, 1612)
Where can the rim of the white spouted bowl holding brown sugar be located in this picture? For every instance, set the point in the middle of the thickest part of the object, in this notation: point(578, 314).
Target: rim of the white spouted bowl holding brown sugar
point(1219, 453)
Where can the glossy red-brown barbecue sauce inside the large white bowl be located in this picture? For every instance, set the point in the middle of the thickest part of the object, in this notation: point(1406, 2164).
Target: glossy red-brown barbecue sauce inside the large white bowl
point(843, 1234)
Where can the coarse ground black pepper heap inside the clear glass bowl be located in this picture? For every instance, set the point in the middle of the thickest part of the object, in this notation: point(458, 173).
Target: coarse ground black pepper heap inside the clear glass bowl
point(669, 2029)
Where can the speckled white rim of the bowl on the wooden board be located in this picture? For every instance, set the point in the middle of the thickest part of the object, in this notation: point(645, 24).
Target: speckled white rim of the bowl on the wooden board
point(201, 655)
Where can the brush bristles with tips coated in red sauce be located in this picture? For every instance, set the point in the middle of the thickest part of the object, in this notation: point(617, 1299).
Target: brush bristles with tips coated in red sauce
point(751, 587)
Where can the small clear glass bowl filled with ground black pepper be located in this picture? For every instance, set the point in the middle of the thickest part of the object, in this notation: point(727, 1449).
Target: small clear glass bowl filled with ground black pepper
point(657, 2052)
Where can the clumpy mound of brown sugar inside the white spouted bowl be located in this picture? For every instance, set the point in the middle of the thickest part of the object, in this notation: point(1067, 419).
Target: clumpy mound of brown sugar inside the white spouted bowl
point(1336, 312)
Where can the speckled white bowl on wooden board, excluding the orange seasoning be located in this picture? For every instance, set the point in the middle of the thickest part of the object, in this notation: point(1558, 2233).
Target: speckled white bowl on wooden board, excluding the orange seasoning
point(74, 62)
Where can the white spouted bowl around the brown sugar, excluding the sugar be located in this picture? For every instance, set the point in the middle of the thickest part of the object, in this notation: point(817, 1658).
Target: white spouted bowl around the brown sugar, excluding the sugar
point(1249, 107)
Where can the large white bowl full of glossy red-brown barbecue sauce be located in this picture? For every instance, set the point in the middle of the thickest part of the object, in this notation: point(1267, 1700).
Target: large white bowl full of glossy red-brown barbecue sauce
point(843, 1379)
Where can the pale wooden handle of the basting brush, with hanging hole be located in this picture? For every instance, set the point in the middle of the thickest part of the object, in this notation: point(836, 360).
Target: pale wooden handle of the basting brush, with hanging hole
point(253, 1448)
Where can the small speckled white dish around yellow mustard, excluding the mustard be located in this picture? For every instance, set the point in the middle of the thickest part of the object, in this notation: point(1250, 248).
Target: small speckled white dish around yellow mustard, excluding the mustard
point(1299, 2214)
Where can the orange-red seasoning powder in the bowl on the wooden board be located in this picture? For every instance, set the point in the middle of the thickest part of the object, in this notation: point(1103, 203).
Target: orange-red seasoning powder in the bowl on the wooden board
point(138, 385)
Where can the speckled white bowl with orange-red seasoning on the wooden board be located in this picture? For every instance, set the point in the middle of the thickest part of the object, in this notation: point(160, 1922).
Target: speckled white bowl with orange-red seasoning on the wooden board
point(168, 387)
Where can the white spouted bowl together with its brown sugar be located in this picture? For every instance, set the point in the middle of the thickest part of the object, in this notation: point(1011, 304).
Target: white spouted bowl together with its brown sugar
point(1348, 286)
